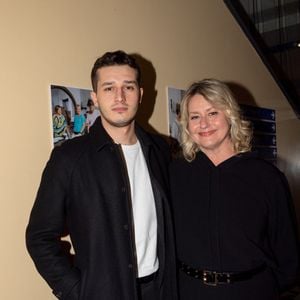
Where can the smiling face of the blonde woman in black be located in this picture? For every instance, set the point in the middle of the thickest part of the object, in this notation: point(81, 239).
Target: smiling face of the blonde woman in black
point(208, 126)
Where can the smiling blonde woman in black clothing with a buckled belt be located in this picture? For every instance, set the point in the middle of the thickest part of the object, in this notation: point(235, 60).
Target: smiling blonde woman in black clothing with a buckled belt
point(234, 231)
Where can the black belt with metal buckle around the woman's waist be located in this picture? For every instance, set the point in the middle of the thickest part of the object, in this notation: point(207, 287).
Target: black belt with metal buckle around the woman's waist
point(214, 278)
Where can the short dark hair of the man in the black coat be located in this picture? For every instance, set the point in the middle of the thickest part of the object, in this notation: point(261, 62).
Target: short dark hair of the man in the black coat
point(116, 58)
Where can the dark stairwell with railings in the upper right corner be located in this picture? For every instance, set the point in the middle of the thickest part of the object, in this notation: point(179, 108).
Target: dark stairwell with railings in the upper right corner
point(273, 27)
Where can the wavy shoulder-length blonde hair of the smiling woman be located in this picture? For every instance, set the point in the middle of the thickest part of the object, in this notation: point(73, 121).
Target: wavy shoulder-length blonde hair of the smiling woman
point(219, 95)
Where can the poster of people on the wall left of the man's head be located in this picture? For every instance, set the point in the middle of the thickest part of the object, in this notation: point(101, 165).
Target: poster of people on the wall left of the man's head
point(73, 112)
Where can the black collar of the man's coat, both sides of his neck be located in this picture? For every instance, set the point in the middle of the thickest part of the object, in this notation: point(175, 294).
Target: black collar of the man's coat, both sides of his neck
point(99, 137)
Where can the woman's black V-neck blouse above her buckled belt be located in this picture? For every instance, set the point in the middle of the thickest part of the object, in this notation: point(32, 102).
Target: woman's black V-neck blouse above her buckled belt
point(235, 216)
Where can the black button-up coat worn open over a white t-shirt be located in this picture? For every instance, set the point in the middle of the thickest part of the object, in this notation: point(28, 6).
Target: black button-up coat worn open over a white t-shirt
point(84, 192)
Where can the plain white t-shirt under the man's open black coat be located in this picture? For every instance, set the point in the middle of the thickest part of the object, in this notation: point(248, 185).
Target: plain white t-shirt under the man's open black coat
point(144, 211)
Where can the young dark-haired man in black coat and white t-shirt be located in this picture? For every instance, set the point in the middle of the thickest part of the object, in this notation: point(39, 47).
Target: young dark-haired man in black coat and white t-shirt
point(108, 191)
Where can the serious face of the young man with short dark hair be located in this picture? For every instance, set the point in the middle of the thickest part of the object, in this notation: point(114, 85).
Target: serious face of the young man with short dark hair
point(118, 95)
